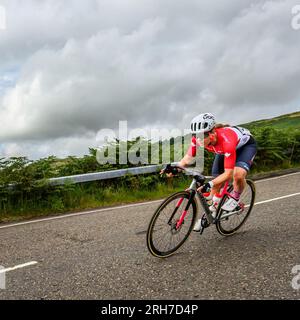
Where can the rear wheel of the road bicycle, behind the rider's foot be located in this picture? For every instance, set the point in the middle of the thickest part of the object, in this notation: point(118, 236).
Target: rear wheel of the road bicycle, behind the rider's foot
point(229, 222)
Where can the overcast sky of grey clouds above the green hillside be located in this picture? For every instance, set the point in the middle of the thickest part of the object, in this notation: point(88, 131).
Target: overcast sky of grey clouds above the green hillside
point(71, 68)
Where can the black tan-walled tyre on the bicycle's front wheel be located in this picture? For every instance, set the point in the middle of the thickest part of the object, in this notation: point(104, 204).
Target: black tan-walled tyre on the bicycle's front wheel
point(152, 247)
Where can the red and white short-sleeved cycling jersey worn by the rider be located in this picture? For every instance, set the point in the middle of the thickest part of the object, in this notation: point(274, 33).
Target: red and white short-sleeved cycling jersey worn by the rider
point(229, 139)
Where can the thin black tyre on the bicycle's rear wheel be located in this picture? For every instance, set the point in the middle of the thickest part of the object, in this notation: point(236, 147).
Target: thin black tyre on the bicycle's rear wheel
point(220, 227)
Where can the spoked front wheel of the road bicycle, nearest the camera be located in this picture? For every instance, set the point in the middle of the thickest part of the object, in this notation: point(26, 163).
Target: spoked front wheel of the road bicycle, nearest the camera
point(164, 237)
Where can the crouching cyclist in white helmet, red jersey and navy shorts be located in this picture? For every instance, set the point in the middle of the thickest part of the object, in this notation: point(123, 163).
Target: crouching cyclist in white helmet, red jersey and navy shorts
point(235, 149)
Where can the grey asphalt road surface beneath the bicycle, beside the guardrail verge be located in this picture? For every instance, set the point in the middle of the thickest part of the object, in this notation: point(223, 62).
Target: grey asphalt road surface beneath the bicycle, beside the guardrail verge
point(103, 255)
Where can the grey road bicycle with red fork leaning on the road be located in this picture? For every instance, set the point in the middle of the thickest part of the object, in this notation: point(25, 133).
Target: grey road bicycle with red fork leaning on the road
point(174, 219)
